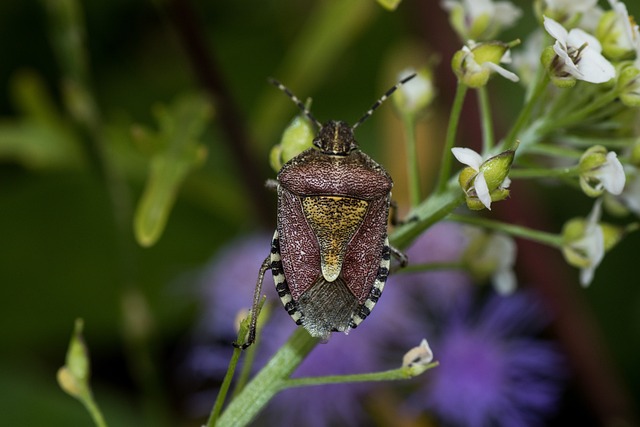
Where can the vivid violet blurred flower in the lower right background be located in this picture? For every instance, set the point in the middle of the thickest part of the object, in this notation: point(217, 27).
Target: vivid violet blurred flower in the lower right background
point(492, 371)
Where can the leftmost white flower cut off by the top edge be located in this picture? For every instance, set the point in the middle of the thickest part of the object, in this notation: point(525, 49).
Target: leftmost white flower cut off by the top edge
point(480, 19)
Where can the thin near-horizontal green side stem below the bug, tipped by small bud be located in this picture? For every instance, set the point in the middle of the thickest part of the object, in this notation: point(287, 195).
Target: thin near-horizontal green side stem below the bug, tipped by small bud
point(403, 373)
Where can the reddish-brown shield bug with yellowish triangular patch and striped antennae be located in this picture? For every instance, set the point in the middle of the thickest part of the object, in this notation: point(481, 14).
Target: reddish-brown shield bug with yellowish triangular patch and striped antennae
point(330, 255)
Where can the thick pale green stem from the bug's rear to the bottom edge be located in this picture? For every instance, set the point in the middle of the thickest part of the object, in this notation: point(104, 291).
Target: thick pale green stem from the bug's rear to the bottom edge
point(270, 380)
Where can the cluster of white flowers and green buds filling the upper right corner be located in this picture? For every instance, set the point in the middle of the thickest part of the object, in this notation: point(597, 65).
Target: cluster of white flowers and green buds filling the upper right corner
point(582, 72)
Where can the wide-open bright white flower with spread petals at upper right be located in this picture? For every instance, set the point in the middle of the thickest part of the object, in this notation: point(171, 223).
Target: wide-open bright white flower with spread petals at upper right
point(579, 54)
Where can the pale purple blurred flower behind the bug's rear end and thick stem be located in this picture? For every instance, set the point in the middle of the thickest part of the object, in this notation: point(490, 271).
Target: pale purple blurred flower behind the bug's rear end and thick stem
point(227, 286)
